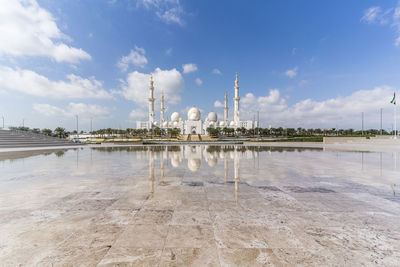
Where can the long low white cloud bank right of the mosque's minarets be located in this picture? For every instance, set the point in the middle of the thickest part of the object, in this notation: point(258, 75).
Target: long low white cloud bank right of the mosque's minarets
point(341, 111)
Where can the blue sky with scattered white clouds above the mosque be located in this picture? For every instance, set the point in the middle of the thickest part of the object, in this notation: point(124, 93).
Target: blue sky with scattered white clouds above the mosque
point(300, 63)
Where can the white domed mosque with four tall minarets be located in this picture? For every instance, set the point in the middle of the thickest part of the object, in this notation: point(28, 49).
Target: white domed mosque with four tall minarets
point(193, 124)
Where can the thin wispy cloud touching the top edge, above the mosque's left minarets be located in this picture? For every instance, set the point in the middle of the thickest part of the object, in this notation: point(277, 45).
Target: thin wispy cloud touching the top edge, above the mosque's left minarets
point(169, 11)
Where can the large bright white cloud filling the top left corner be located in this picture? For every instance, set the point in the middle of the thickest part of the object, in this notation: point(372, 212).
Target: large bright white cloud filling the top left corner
point(29, 30)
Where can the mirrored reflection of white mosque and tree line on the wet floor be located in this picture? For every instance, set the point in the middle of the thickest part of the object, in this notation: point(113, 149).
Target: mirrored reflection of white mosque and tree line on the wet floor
point(192, 157)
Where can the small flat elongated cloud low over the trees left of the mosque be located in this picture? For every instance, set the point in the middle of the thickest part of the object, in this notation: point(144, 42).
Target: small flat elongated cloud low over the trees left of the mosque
point(71, 110)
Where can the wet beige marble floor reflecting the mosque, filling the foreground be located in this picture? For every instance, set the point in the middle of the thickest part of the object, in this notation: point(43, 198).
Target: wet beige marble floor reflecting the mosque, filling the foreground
point(199, 206)
